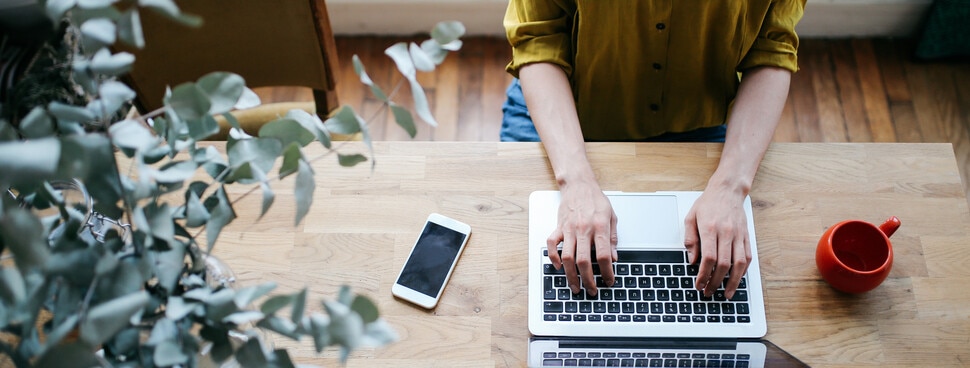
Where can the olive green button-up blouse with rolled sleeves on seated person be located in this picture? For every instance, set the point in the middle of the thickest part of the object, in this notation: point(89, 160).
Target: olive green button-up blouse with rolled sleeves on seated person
point(640, 68)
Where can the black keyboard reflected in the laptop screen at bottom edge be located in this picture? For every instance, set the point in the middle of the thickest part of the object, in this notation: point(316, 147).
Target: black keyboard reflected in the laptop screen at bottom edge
point(644, 359)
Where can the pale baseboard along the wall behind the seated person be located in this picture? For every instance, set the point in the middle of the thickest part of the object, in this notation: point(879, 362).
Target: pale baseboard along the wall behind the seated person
point(823, 18)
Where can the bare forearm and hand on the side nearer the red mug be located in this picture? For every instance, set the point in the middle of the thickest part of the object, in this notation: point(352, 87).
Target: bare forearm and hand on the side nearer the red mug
point(716, 227)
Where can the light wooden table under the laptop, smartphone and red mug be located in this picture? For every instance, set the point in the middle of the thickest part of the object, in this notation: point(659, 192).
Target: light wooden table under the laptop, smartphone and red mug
point(363, 223)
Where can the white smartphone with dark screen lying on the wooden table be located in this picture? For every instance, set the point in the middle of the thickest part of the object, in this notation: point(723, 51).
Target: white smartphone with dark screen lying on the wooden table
point(432, 260)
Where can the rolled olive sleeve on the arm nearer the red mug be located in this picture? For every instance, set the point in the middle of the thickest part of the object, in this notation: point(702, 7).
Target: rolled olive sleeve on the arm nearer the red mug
point(777, 43)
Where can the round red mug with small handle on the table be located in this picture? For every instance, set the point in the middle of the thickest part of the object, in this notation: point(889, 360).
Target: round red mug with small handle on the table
point(855, 256)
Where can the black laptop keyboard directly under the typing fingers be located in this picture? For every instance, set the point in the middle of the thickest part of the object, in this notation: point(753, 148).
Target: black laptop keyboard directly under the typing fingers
point(650, 287)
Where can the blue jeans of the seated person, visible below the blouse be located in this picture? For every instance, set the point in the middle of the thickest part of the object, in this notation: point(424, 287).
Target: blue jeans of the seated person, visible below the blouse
point(517, 124)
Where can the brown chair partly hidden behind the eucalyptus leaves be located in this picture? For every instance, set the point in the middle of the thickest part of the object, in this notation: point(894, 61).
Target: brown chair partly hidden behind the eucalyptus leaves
point(268, 43)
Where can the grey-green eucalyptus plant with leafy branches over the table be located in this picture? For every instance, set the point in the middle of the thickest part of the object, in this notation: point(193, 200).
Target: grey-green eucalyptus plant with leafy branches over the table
point(71, 285)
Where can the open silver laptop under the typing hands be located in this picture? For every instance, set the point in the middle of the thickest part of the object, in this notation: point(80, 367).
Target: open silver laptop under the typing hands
point(652, 315)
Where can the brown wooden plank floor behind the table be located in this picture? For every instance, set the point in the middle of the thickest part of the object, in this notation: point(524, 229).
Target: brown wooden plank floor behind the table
point(858, 90)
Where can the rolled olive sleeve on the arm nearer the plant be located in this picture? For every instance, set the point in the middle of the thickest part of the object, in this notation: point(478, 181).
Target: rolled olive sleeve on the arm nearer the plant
point(539, 31)
